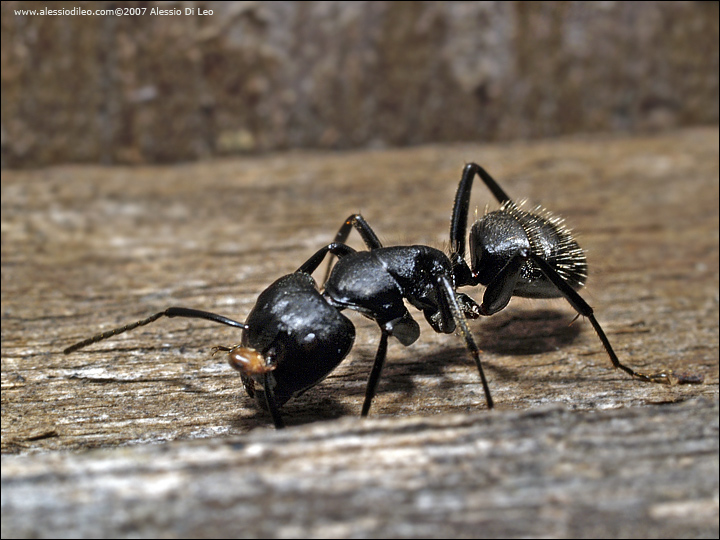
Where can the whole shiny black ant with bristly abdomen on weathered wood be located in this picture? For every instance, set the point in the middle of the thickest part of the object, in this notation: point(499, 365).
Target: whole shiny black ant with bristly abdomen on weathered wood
point(296, 335)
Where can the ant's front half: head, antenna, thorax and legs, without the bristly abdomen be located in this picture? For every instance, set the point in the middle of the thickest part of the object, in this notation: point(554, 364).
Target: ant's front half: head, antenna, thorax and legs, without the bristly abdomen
point(296, 335)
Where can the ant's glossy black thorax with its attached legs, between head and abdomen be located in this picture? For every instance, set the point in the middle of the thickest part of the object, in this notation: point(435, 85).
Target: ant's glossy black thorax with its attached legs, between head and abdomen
point(376, 282)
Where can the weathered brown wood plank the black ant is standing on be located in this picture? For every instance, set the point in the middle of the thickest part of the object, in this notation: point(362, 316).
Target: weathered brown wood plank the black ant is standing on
point(89, 248)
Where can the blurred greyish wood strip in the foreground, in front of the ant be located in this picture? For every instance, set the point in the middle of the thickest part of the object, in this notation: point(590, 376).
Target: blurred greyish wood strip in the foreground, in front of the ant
point(549, 472)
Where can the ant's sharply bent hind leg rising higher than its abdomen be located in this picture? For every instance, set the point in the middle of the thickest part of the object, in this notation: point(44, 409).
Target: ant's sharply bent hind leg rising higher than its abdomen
point(459, 220)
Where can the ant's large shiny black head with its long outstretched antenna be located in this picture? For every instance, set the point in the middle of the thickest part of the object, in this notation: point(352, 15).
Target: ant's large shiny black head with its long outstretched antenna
point(292, 339)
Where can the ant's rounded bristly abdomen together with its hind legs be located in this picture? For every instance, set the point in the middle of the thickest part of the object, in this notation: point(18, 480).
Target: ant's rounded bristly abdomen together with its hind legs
point(514, 252)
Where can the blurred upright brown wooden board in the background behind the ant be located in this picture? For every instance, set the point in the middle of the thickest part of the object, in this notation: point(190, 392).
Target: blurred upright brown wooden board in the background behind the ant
point(254, 77)
